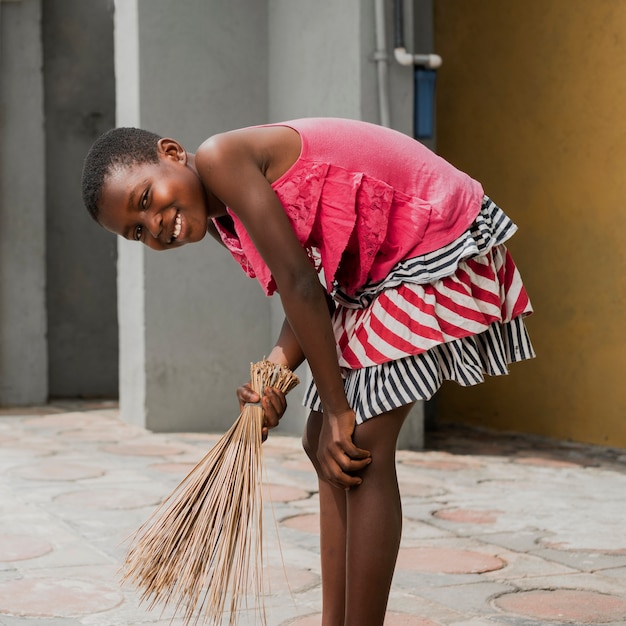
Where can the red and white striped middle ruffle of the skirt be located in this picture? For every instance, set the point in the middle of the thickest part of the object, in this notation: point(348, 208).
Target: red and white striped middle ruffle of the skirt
point(412, 318)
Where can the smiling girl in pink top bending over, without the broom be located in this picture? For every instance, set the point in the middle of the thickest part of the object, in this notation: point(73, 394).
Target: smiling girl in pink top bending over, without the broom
point(393, 276)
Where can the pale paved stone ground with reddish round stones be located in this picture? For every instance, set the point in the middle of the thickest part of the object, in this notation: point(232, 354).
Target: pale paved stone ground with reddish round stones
point(498, 530)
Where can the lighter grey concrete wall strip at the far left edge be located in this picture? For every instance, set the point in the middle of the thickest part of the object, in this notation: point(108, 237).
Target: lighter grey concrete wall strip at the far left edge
point(23, 351)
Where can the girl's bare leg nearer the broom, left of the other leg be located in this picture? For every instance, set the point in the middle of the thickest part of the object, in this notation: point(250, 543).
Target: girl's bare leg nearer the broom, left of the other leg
point(332, 534)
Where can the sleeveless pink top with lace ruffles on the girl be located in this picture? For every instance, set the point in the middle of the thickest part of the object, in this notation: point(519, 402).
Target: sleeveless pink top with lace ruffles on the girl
point(361, 198)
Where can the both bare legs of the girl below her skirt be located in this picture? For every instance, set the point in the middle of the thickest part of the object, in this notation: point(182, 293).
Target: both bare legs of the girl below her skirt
point(360, 529)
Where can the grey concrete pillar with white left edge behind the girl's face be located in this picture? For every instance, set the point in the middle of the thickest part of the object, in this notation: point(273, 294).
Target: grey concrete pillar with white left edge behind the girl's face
point(190, 321)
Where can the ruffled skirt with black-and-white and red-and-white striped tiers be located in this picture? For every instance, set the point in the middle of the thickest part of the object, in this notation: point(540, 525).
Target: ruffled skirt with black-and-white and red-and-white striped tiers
point(453, 314)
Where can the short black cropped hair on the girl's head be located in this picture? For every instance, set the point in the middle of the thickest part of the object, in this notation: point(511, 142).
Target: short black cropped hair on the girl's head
point(123, 146)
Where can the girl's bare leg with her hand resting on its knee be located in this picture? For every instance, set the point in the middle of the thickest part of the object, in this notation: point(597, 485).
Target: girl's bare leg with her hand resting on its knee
point(374, 522)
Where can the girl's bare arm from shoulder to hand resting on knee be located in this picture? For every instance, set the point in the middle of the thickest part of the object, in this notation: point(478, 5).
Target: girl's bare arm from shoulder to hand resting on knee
point(232, 166)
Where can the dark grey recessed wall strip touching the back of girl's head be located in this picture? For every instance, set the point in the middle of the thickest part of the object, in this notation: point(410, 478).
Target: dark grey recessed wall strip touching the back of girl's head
point(81, 291)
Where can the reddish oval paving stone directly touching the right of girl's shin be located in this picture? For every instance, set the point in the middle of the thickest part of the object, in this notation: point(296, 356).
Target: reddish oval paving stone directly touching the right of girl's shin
point(447, 561)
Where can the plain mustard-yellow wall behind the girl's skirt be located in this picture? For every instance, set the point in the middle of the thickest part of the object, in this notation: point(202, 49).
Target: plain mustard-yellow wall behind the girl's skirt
point(532, 102)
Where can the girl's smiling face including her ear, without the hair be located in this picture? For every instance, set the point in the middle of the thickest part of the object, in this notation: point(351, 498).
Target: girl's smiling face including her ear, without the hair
point(163, 204)
